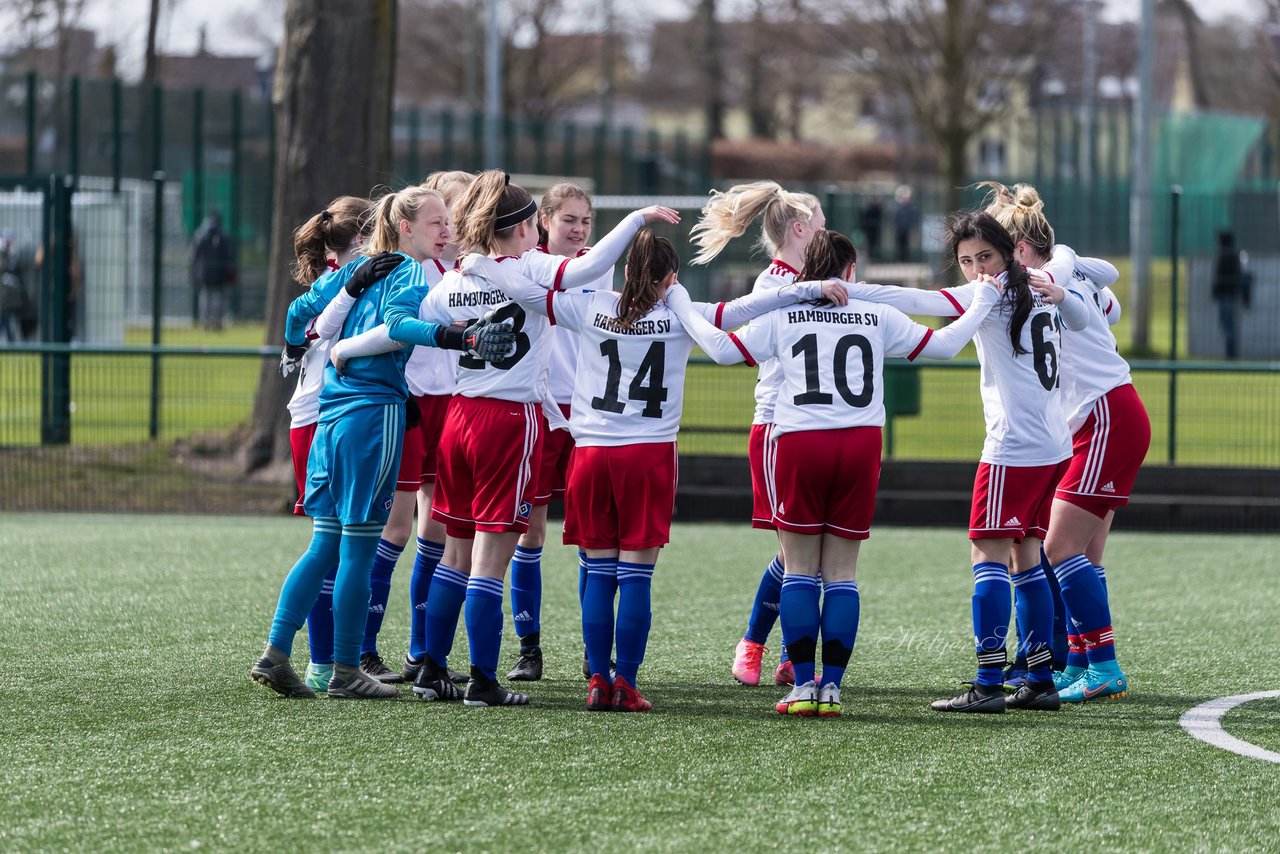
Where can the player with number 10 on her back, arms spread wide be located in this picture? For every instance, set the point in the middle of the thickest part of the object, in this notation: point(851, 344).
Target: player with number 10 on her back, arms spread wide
point(828, 450)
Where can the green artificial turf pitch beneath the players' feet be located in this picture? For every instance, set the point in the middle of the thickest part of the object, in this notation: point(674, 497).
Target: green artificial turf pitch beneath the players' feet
point(130, 723)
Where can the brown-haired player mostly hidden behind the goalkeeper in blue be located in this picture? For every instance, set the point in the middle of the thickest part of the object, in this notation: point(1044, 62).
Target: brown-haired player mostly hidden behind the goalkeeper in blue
point(326, 243)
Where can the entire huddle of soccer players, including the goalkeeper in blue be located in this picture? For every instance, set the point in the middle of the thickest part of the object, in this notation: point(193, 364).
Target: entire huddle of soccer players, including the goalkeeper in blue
point(463, 355)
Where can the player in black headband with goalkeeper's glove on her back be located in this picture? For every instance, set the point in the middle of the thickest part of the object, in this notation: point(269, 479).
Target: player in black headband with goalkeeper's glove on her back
point(493, 431)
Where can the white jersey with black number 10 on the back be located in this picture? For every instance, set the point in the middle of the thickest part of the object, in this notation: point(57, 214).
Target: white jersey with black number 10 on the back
point(831, 362)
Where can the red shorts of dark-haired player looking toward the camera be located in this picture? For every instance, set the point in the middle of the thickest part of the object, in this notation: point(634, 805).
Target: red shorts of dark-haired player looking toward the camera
point(1012, 503)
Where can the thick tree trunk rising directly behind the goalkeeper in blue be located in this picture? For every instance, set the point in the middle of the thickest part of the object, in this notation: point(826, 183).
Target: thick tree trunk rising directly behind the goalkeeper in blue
point(333, 111)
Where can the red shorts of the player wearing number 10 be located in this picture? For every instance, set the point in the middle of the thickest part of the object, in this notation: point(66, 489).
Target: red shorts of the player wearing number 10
point(826, 482)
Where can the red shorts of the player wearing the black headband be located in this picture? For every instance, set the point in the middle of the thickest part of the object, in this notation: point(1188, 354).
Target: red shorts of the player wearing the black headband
point(490, 453)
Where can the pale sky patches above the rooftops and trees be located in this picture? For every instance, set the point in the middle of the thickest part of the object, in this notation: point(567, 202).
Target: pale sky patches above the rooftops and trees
point(248, 26)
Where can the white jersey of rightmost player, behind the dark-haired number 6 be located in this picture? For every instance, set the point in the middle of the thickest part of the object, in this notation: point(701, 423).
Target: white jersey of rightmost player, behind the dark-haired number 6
point(1091, 363)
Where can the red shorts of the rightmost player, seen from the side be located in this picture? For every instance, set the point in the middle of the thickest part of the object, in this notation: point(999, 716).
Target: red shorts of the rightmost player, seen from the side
point(1108, 451)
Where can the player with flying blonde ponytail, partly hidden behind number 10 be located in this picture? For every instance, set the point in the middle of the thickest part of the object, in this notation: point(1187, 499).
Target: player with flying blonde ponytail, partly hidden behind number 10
point(789, 222)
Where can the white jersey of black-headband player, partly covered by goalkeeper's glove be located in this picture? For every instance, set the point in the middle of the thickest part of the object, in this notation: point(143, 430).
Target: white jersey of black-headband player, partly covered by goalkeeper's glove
point(519, 378)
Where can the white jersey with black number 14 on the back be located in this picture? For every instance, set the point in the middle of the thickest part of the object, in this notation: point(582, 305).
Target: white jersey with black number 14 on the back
point(630, 383)
